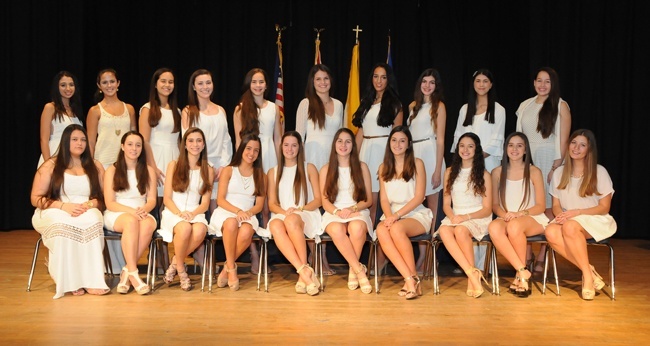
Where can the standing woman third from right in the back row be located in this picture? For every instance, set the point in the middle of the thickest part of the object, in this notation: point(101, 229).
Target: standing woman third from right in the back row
point(427, 122)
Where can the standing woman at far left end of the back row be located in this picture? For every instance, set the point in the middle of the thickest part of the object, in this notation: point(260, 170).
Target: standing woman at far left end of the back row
point(63, 110)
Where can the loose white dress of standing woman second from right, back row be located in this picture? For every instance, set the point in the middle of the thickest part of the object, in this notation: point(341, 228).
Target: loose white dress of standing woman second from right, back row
point(491, 135)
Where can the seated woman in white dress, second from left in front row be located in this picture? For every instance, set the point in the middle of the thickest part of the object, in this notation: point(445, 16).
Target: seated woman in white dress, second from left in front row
point(130, 195)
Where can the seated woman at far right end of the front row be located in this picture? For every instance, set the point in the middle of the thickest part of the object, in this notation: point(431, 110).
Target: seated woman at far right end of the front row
point(582, 195)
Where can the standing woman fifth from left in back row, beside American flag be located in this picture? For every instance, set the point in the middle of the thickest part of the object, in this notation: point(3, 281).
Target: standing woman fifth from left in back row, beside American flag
point(256, 115)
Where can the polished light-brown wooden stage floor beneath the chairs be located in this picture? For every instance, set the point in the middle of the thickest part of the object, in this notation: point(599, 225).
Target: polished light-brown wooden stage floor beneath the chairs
point(336, 316)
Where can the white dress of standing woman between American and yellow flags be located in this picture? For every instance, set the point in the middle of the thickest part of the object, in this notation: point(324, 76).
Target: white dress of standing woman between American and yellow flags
point(318, 142)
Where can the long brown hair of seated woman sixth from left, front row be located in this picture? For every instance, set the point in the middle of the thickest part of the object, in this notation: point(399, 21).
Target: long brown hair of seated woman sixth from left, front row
point(332, 178)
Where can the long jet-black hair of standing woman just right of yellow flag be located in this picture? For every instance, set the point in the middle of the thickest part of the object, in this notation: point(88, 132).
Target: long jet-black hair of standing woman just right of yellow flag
point(390, 103)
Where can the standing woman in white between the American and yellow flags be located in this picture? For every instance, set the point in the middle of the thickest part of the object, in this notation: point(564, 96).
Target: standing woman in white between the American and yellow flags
point(318, 118)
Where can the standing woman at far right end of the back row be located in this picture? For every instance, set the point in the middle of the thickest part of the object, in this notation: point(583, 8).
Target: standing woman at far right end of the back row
point(546, 120)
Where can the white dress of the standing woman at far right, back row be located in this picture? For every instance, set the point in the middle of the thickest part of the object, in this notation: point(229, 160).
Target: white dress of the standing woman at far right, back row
point(544, 150)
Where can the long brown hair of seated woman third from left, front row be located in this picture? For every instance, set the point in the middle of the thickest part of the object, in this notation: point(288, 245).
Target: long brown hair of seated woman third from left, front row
point(181, 177)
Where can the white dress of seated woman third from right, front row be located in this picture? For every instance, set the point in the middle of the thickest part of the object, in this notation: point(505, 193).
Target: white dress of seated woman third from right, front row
point(464, 201)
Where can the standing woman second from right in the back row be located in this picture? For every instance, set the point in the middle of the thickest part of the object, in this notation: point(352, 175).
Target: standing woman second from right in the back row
point(485, 117)
